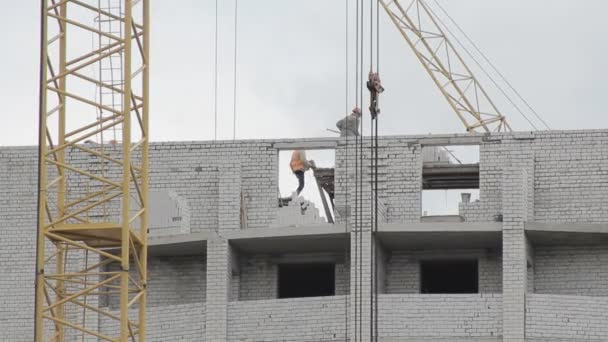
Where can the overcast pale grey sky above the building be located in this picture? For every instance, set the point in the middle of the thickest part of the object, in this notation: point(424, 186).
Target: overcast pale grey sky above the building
point(291, 67)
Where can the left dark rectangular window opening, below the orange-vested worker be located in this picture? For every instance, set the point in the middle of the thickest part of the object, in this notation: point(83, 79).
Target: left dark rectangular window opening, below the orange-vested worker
point(306, 280)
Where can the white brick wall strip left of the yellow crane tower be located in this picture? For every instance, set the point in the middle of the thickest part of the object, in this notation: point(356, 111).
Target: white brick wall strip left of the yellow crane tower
point(18, 181)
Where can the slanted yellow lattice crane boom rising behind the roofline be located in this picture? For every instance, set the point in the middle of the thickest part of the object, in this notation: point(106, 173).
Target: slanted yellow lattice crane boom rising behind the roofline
point(418, 24)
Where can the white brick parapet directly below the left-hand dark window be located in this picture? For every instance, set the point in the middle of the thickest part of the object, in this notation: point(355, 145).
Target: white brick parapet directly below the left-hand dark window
point(294, 319)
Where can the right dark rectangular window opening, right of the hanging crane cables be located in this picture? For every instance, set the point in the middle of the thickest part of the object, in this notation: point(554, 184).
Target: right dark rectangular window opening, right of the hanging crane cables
point(449, 276)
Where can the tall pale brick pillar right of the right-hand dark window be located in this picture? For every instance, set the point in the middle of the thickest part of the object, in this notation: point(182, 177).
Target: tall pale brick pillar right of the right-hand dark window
point(515, 213)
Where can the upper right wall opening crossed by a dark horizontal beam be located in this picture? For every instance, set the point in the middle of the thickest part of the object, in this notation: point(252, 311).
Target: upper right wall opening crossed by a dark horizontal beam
point(450, 175)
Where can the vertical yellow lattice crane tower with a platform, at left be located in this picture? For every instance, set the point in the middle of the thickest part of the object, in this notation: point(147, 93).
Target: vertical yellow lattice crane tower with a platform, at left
point(92, 218)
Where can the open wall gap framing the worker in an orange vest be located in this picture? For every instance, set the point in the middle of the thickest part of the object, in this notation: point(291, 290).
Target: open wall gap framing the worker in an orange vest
point(315, 200)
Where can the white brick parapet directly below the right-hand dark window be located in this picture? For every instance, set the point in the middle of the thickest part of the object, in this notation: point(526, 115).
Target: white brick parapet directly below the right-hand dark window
point(436, 315)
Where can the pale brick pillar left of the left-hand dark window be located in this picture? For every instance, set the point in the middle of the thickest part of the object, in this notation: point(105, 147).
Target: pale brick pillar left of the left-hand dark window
point(218, 288)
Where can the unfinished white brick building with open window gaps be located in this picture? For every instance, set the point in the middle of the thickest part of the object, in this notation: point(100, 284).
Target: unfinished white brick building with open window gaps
point(526, 261)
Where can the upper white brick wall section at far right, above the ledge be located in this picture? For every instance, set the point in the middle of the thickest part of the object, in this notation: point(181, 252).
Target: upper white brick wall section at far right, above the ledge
point(569, 170)
